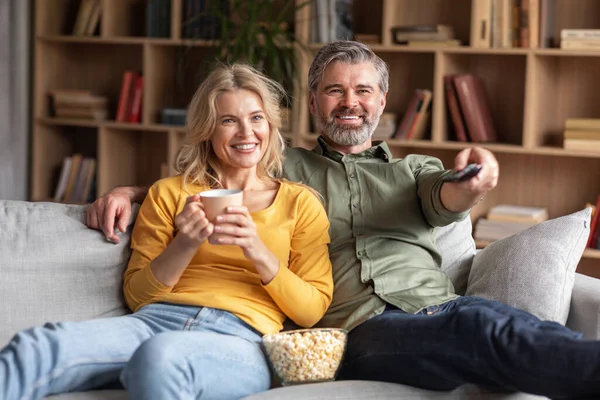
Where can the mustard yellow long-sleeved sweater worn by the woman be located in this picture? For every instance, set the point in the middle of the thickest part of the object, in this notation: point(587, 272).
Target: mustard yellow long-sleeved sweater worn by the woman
point(295, 228)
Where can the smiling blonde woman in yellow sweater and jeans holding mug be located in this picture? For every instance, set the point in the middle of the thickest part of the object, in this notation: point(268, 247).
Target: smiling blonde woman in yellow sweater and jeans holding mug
point(199, 308)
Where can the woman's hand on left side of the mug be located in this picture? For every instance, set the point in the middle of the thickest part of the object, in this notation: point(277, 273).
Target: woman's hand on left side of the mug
point(192, 225)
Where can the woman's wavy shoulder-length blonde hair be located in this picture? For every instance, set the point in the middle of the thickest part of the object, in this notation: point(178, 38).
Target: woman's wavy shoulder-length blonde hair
point(196, 159)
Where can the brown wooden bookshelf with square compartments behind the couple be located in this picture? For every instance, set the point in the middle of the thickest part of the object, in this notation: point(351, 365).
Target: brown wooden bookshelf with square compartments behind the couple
point(532, 91)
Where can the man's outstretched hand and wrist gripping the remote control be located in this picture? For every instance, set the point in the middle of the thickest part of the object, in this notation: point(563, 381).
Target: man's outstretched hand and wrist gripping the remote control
point(461, 196)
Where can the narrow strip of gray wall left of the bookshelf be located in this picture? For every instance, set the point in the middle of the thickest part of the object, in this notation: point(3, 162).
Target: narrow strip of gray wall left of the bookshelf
point(14, 98)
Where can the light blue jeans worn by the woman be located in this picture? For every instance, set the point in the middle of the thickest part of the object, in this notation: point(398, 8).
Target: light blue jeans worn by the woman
point(163, 351)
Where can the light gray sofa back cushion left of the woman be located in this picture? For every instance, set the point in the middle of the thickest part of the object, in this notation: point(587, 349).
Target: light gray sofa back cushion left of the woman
point(56, 268)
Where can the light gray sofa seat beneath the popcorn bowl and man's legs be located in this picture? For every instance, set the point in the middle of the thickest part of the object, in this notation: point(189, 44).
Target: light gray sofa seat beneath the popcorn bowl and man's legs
point(367, 390)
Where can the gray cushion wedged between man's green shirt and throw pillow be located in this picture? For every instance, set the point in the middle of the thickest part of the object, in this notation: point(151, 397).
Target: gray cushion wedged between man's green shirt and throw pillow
point(456, 244)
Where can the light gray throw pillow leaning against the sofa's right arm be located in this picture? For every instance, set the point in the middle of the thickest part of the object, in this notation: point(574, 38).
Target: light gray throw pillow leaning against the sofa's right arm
point(533, 270)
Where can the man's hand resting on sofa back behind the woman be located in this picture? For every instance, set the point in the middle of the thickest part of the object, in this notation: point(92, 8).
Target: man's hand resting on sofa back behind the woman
point(113, 208)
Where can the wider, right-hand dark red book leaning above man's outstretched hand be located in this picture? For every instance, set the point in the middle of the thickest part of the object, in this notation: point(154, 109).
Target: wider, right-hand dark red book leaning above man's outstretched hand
point(475, 107)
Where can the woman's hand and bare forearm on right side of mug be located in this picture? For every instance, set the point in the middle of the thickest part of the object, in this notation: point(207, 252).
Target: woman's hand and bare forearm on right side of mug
point(237, 228)
